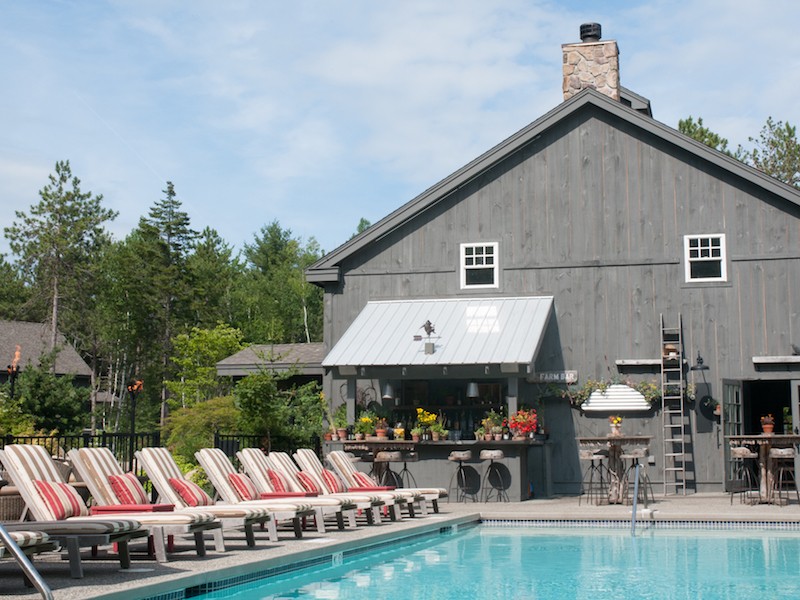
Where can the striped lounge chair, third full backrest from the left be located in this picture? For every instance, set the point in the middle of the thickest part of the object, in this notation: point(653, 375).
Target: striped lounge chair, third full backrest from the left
point(174, 488)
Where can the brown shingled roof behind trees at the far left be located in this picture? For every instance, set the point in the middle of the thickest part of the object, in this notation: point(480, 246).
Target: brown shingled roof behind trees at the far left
point(33, 340)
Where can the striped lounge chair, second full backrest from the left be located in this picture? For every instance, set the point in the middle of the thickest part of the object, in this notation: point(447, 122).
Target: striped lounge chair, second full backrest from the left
point(115, 491)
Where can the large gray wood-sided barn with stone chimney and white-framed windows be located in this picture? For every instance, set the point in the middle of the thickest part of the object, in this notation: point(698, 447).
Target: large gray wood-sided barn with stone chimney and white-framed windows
point(609, 220)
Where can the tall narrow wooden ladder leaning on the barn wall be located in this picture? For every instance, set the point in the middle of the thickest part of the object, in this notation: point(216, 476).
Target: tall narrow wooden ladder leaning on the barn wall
point(676, 427)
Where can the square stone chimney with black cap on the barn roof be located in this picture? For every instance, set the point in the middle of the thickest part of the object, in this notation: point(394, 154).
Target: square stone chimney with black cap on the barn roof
point(591, 63)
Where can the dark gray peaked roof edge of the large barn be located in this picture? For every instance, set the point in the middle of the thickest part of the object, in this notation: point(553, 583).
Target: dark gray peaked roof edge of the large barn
point(326, 269)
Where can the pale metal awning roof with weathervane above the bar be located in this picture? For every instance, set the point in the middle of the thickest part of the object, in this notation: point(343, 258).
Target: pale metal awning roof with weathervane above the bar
point(475, 331)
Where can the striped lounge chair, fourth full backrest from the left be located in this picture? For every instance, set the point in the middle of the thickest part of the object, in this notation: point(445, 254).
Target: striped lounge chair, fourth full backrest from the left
point(238, 488)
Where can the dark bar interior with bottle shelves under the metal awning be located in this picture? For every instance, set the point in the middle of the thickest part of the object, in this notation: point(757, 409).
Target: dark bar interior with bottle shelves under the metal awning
point(449, 399)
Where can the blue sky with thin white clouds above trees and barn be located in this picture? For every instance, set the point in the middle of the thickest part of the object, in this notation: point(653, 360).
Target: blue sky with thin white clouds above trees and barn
point(319, 113)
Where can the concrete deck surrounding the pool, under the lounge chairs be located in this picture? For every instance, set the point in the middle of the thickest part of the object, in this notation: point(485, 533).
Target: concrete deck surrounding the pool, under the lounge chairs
point(104, 579)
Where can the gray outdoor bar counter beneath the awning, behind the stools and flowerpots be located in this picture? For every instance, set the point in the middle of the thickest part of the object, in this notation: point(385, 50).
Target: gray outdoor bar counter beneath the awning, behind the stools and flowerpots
point(526, 466)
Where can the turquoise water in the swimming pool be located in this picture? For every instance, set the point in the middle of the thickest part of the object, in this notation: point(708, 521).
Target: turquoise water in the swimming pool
point(530, 563)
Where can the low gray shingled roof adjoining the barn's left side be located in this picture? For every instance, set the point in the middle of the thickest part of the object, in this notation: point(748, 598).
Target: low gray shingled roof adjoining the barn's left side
point(307, 358)
